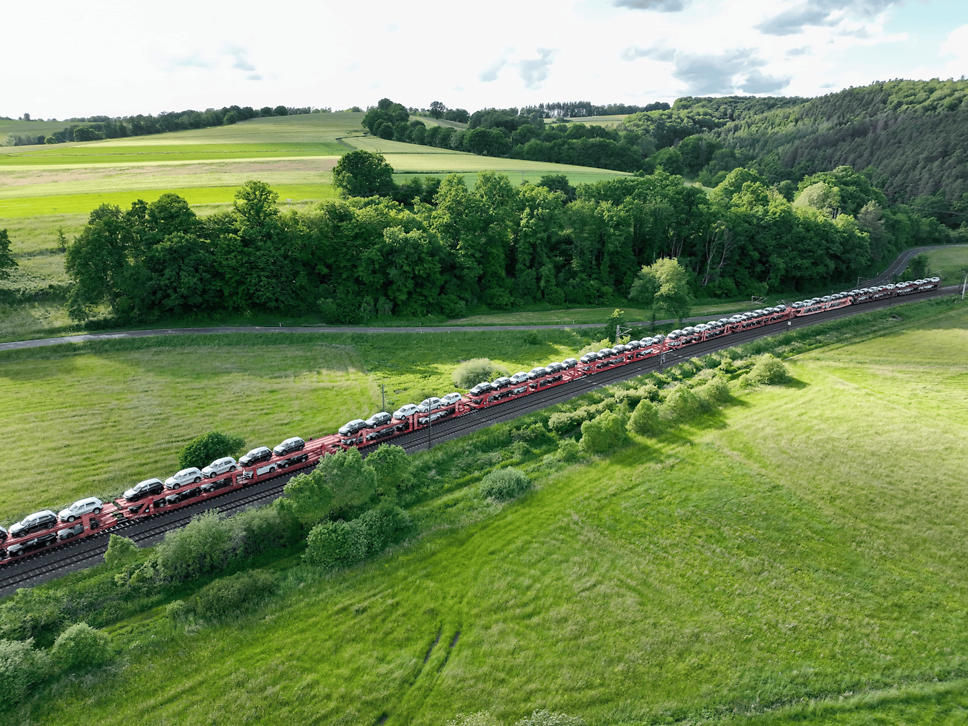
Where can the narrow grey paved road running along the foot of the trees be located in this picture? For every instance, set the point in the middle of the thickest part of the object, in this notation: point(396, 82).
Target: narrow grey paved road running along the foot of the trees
point(896, 268)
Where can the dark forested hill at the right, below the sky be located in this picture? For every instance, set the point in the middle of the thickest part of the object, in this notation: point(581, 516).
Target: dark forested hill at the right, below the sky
point(913, 133)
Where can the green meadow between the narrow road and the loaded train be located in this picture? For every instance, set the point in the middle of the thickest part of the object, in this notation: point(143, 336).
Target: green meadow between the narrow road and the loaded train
point(106, 415)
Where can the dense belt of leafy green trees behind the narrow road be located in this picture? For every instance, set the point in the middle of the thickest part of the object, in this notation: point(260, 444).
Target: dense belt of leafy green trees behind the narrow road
point(491, 247)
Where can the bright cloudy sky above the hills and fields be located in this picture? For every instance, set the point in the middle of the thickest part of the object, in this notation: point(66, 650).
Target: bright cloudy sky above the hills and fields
point(125, 57)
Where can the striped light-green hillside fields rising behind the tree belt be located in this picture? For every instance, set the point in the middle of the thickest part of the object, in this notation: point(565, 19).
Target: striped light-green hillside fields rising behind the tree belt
point(47, 188)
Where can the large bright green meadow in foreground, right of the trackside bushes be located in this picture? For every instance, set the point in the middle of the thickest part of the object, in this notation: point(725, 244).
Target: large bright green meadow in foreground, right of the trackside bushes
point(804, 545)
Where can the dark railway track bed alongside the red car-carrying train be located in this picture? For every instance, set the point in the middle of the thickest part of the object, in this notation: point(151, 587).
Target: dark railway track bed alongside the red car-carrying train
point(73, 556)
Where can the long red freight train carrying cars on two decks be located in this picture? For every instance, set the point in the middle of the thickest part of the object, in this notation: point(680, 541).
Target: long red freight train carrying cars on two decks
point(87, 517)
